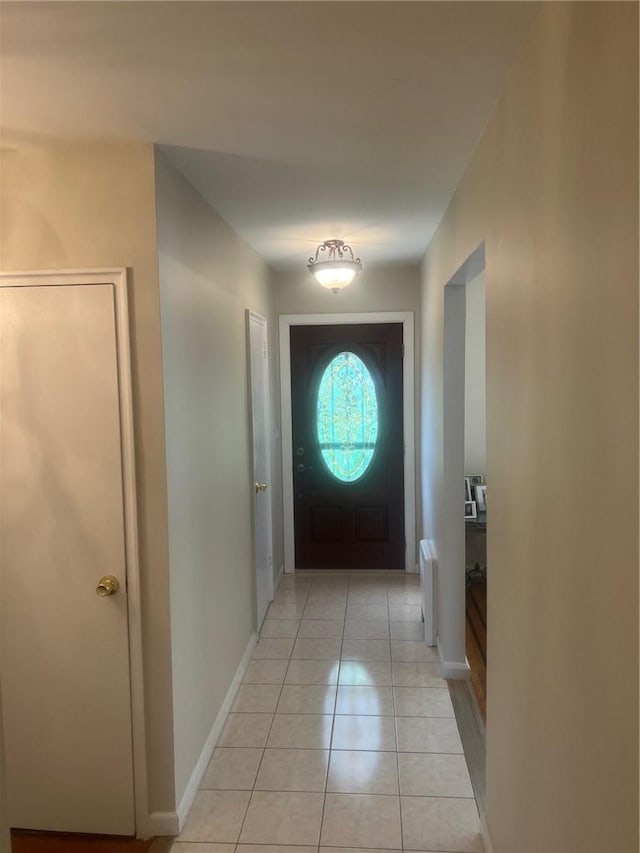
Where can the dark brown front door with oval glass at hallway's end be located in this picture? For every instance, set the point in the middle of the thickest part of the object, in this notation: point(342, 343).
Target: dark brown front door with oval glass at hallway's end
point(348, 456)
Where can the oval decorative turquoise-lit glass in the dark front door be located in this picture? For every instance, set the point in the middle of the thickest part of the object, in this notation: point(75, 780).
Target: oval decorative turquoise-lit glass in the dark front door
point(347, 417)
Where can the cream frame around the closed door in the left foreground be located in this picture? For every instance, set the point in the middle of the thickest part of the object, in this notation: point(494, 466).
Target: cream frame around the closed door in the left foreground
point(117, 276)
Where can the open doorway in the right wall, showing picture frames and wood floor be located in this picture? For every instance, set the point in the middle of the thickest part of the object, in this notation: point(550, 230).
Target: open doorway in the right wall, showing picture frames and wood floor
point(462, 594)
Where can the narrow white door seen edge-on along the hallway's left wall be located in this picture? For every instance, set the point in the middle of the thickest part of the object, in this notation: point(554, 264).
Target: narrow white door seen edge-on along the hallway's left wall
point(261, 431)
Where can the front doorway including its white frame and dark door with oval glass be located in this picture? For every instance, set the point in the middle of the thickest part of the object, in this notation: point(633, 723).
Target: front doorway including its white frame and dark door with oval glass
point(311, 461)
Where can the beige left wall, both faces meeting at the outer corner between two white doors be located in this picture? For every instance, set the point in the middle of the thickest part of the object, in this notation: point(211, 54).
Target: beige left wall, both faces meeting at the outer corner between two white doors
point(77, 206)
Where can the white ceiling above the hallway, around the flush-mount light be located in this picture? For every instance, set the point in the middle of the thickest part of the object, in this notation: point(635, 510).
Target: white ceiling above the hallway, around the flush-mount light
point(298, 121)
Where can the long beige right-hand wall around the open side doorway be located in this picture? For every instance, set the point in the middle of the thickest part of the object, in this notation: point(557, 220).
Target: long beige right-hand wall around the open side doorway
point(552, 189)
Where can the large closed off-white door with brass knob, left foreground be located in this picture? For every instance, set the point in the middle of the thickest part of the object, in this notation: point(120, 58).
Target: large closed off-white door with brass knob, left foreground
point(64, 650)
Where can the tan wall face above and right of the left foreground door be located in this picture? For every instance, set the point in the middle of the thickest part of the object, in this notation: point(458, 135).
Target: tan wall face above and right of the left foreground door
point(73, 207)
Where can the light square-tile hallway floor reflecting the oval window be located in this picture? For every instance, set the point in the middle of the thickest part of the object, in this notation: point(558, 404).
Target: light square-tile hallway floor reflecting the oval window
point(342, 737)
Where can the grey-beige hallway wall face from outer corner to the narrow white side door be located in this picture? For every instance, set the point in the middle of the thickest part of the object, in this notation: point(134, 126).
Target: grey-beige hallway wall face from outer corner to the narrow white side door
point(208, 277)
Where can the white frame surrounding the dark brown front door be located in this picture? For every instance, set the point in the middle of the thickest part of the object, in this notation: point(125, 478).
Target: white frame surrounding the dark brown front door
point(408, 384)
